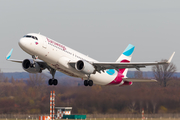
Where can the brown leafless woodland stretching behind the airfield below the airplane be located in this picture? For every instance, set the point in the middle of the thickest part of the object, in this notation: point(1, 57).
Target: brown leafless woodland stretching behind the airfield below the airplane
point(32, 96)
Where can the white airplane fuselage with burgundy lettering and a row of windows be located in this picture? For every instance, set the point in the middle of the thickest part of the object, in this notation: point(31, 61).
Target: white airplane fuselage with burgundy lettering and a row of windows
point(57, 56)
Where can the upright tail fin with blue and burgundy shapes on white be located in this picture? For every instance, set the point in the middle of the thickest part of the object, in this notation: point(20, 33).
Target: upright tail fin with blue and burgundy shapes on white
point(126, 57)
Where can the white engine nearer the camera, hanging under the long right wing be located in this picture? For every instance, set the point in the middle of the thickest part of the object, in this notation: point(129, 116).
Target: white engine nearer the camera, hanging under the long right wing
point(85, 67)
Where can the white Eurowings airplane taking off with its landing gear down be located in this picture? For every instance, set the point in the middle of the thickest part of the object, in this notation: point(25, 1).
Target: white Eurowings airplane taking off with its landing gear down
point(54, 56)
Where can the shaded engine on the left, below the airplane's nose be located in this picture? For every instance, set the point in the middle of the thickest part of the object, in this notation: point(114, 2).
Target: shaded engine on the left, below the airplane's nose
point(28, 66)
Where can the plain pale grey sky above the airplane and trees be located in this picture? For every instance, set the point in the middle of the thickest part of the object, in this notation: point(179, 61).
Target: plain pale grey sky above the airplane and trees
point(101, 29)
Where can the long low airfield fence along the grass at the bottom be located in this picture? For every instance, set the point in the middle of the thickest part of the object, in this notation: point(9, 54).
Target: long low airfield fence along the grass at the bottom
point(36, 116)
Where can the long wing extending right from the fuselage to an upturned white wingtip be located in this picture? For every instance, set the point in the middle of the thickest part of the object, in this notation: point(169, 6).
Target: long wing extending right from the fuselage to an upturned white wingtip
point(101, 66)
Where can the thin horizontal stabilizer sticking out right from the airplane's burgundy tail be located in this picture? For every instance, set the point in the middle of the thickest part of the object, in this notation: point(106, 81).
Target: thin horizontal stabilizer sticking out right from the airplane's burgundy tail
point(139, 80)
